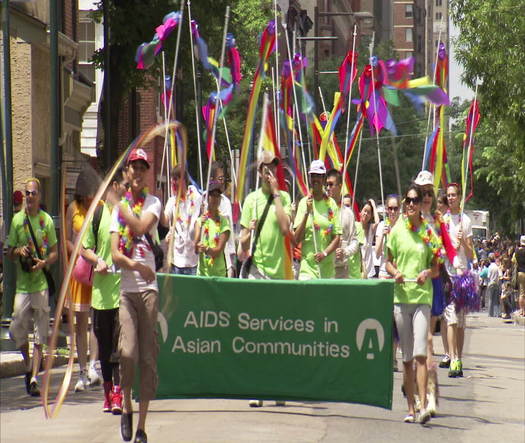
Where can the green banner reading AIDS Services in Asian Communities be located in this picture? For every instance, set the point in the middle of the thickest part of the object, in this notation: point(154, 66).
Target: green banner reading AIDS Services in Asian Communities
point(327, 340)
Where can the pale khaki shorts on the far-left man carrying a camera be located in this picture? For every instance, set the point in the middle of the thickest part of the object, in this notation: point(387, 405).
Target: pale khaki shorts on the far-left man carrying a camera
point(30, 308)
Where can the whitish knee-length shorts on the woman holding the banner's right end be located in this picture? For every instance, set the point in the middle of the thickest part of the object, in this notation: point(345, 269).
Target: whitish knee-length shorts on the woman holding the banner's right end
point(412, 322)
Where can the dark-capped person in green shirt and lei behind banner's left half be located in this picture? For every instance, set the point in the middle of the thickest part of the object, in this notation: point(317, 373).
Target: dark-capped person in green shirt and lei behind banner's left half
point(211, 235)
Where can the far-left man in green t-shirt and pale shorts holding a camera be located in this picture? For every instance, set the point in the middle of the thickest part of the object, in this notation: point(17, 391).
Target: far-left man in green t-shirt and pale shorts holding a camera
point(32, 245)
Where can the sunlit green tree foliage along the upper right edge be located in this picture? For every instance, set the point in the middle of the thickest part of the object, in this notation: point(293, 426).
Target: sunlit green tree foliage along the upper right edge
point(491, 47)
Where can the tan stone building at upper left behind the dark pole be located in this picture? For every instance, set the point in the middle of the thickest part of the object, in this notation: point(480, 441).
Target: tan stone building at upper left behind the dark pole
point(30, 95)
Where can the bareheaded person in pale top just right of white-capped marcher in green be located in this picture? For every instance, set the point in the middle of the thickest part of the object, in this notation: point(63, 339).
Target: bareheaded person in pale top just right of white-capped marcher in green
point(347, 255)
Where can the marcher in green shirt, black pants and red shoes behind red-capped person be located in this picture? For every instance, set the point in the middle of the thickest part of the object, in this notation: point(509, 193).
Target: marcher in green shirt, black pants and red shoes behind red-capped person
point(106, 292)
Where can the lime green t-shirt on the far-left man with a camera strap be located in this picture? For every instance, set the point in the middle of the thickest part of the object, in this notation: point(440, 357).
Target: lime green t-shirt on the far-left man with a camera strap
point(19, 235)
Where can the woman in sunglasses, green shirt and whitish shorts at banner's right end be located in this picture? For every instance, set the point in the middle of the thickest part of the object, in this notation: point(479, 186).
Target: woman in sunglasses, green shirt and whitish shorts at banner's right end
point(413, 255)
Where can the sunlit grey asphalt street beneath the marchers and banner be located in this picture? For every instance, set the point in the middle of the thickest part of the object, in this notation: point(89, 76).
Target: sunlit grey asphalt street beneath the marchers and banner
point(486, 405)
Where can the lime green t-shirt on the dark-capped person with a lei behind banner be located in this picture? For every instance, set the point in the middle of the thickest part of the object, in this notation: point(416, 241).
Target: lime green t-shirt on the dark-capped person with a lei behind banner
point(210, 232)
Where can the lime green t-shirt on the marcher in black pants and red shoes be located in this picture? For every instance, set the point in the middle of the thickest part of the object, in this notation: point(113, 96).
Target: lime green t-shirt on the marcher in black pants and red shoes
point(105, 293)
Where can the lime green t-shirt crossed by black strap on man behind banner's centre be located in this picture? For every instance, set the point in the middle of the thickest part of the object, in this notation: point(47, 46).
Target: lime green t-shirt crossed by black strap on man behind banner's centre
point(270, 252)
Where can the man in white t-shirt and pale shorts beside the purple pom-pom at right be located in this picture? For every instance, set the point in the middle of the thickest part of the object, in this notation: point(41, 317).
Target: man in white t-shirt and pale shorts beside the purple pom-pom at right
point(460, 230)
